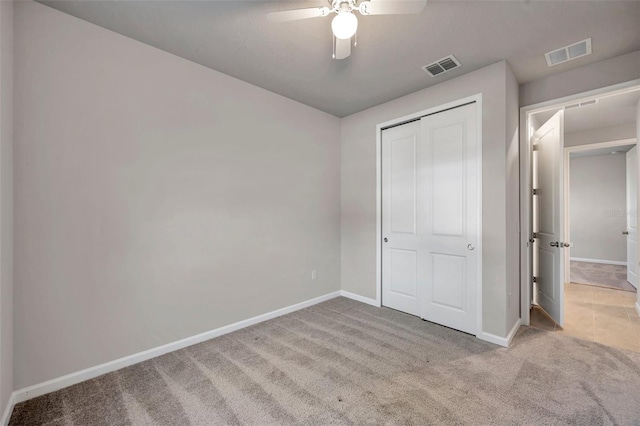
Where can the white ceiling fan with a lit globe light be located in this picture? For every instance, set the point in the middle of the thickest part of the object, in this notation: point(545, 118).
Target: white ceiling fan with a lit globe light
point(345, 23)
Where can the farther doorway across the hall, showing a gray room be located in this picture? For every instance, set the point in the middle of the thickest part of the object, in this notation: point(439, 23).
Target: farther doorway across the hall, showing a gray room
point(602, 201)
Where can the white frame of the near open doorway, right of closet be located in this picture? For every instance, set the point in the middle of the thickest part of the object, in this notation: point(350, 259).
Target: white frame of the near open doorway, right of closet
point(525, 178)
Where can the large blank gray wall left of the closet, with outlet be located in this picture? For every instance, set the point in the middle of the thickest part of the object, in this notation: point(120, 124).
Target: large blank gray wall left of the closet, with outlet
point(154, 198)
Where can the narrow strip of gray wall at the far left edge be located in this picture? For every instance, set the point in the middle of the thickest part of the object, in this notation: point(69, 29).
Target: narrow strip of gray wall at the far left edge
point(6, 202)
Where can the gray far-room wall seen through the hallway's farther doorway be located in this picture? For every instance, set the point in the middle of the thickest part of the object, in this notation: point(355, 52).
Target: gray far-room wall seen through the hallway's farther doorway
point(597, 206)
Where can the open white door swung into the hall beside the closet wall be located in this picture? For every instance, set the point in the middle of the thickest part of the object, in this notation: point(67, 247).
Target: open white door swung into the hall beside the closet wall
point(548, 203)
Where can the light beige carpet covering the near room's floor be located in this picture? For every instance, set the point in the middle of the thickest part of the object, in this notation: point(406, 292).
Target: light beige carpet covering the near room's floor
point(343, 362)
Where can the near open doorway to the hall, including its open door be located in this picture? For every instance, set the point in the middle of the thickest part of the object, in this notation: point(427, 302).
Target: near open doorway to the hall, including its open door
point(582, 280)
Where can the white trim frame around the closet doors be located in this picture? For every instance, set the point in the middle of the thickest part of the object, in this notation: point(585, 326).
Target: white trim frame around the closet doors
point(413, 117)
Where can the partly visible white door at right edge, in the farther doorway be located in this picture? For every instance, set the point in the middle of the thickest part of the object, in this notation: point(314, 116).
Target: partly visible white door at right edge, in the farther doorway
point(632, 227)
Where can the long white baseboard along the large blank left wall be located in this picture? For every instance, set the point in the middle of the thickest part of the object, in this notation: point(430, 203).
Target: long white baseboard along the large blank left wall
point(89, 373)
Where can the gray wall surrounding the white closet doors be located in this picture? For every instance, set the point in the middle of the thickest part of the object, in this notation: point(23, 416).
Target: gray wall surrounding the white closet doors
point(359, 185)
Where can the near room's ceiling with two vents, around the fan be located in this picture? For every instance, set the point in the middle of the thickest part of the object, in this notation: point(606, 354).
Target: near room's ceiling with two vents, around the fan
point(294, 58)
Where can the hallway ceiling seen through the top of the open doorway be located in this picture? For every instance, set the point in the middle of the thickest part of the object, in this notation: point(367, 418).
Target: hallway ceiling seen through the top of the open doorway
point(609, 111)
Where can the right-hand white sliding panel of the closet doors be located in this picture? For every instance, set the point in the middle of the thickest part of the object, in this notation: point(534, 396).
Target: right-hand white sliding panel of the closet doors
point(450, 228)
